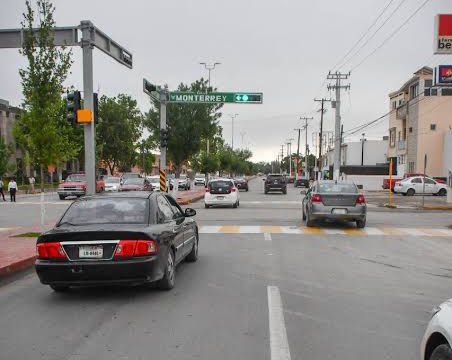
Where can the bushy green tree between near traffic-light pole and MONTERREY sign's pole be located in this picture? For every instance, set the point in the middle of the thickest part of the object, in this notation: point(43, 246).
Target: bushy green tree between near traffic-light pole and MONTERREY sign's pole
point(118, 132)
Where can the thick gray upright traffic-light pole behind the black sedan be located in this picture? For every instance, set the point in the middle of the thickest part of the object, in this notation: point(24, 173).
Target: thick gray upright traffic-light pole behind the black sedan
point(89, 130)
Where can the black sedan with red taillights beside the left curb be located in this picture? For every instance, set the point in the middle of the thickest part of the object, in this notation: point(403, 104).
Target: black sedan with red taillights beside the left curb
point(126, 238)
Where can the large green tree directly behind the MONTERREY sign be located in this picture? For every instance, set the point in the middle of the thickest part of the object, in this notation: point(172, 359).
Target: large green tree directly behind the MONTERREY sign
point(189, 125)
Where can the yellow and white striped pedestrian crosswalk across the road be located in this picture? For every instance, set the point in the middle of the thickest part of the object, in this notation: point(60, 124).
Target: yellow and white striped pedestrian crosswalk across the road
point(302, 230)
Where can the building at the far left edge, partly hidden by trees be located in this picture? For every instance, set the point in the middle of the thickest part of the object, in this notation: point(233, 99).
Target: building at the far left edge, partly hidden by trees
point(8, 115)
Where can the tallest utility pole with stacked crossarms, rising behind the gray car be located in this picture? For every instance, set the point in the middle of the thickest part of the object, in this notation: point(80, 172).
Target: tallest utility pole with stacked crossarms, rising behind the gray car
point(338, 76)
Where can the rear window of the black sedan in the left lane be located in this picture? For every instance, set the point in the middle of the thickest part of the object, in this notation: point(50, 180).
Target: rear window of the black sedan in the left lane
point(107, 211)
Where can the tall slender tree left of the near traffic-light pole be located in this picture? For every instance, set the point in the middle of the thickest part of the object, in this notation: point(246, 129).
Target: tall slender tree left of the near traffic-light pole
point(39, 129)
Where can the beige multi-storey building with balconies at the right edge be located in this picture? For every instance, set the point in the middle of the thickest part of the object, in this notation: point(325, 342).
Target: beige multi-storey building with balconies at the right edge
point(420, 116)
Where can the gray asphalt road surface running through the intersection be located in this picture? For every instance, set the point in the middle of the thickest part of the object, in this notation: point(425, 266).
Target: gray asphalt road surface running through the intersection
point(250, 296)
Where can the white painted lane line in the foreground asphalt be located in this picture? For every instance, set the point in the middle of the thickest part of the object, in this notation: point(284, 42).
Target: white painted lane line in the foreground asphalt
point(279, 346)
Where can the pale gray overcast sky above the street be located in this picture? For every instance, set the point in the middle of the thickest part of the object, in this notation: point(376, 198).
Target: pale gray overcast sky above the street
point(281, 48)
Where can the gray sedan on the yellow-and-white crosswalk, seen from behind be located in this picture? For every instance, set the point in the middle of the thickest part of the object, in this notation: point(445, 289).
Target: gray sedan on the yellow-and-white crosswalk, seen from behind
point(334, 200)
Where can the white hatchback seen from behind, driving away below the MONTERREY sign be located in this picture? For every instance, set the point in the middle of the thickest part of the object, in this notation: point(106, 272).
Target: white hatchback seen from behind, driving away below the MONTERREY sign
point(221, 192)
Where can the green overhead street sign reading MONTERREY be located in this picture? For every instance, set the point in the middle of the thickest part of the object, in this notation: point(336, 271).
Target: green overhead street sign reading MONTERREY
point(214, 98)
